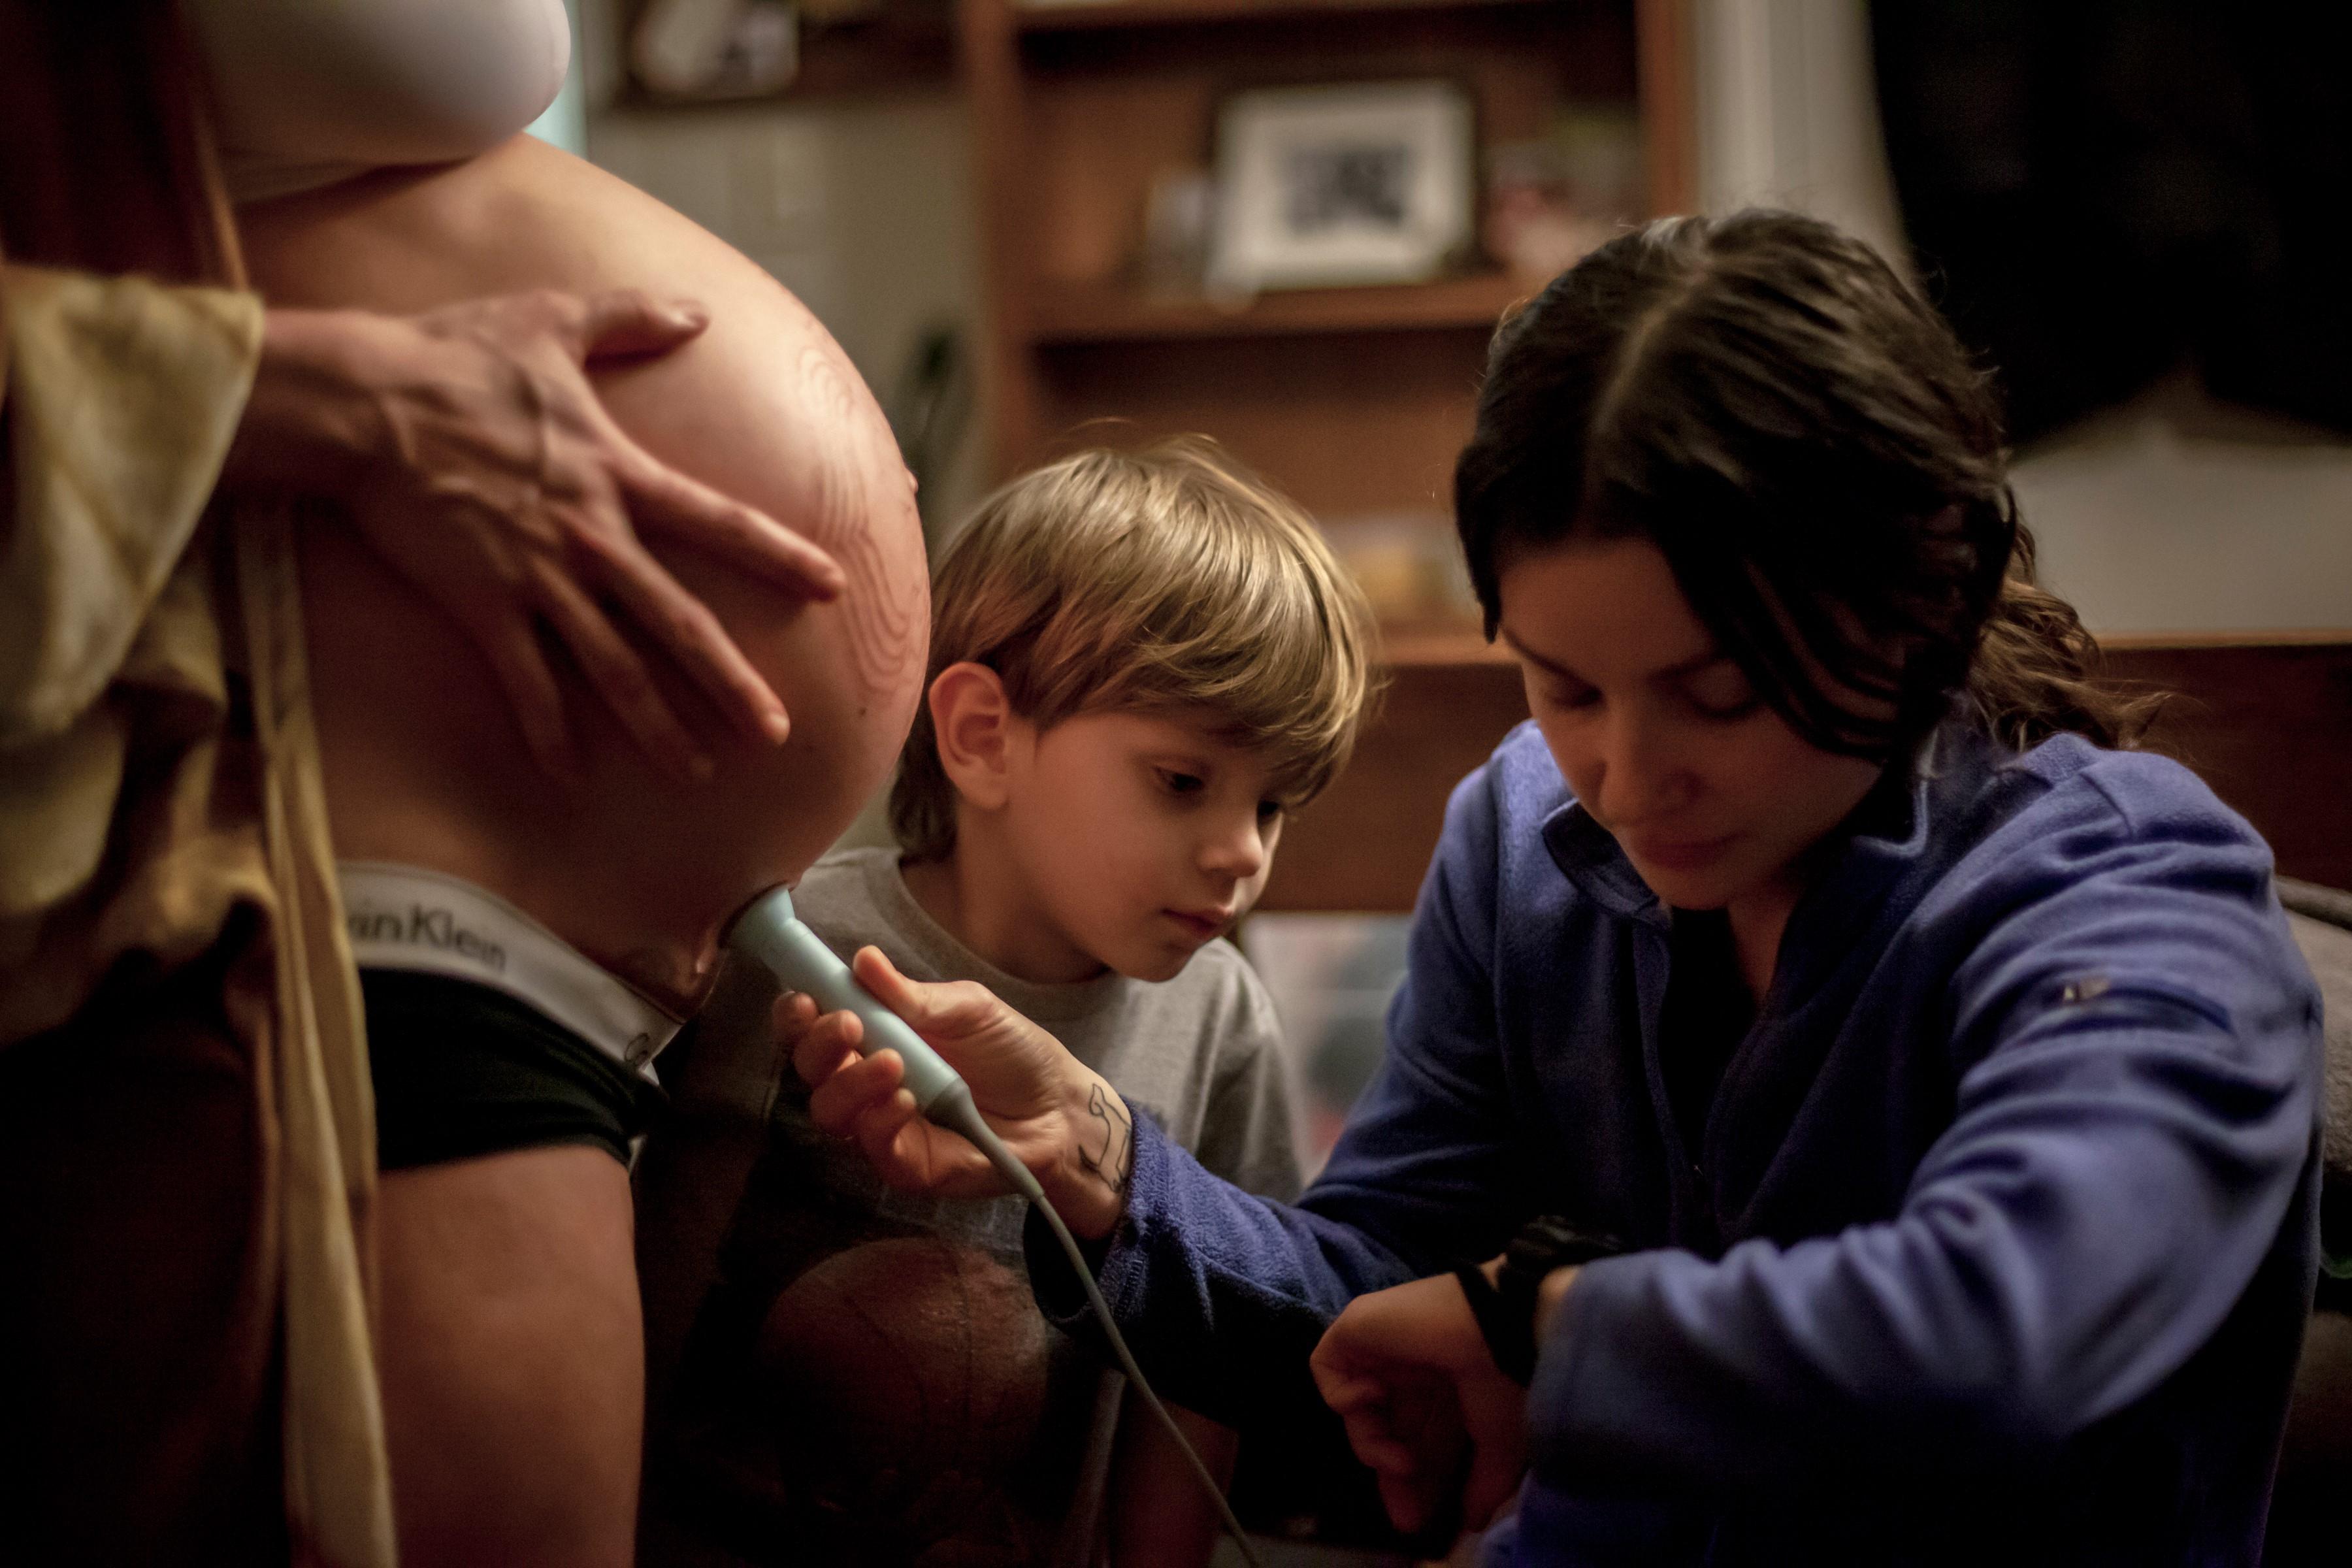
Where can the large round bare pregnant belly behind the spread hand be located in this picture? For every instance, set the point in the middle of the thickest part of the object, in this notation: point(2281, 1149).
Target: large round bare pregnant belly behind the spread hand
point(763, 406)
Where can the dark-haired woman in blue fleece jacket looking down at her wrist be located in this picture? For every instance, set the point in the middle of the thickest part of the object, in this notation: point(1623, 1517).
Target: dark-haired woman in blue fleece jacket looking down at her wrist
point(1866, 1104)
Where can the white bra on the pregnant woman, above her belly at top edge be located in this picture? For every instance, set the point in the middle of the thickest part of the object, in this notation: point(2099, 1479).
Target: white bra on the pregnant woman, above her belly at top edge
point(316, 91)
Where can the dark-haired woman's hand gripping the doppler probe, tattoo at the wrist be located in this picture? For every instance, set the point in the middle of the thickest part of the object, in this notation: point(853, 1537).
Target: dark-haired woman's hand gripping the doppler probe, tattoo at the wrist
point(1055, 1113)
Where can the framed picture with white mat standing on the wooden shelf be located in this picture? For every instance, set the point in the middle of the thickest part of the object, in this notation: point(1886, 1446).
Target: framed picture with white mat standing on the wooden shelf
point(1354, 185)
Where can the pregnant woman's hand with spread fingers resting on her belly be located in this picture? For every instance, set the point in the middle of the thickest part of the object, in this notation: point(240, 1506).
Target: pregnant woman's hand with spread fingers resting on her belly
point(474, 455)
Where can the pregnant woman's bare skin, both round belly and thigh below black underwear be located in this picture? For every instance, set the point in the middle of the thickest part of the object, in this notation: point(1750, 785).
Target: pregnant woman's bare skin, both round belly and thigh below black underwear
point(509, 1332)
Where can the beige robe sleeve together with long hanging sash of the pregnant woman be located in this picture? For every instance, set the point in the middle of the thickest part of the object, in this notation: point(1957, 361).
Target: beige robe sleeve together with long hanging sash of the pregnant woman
point(121, 403)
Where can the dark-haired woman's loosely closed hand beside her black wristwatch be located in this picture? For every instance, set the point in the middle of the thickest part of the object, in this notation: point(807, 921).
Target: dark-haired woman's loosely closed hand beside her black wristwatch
point(1410, 1376)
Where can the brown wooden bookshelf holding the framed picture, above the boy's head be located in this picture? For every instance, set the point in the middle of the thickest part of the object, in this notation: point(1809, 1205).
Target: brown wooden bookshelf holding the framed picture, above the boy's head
point(1356, 401)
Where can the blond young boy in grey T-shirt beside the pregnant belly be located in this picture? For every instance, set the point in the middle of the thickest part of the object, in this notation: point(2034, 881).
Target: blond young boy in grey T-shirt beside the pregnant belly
point(1140, 666)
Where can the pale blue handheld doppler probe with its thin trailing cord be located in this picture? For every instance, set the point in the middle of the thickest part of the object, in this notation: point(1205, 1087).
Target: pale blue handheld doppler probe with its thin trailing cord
point(801, 960)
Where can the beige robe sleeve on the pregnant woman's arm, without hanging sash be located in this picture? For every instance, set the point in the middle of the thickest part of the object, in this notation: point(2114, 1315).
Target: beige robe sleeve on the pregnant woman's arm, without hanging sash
point(121, 403)
